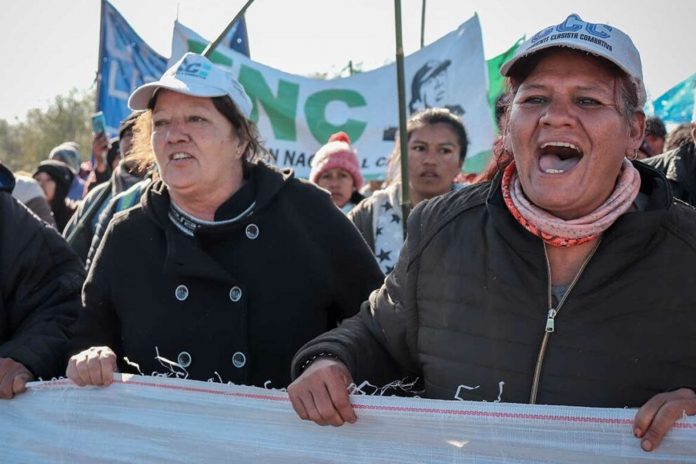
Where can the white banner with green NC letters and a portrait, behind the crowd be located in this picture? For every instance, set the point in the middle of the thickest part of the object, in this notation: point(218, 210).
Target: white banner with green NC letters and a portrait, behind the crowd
point(296, 114)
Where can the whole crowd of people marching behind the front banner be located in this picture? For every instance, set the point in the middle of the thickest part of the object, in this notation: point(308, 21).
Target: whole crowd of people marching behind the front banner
point(559, 275)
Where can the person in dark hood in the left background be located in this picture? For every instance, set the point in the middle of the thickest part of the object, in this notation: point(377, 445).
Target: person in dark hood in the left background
point(55, 178)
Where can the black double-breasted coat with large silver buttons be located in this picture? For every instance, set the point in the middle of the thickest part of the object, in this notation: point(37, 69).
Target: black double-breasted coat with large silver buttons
point(232, 303)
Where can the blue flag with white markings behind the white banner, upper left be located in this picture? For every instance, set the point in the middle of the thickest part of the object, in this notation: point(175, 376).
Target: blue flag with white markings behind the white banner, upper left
point(127, 62)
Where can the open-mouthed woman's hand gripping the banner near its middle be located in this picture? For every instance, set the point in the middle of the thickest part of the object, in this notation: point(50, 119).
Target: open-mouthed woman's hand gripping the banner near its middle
point(321, 394)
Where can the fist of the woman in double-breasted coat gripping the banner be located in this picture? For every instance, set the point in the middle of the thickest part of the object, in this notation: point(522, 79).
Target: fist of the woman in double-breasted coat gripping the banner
point(93, 366)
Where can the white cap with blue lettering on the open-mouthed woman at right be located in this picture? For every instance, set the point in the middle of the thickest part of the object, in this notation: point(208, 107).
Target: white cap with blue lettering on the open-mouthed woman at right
point(598, 39)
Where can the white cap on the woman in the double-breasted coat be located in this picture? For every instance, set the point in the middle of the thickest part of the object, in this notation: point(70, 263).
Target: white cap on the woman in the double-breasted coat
point(197, 76)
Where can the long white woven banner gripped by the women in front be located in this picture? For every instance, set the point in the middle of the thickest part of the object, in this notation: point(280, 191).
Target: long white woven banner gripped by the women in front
point(152, 419)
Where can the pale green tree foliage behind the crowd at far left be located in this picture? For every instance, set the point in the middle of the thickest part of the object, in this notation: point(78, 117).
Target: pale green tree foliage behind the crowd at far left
point(26, 143)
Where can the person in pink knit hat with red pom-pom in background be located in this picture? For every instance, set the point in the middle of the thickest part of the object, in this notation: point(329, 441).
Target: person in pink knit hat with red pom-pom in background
point(335, 168)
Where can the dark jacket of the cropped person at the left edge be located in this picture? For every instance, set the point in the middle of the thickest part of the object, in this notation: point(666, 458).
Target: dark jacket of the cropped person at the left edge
point(40, 281)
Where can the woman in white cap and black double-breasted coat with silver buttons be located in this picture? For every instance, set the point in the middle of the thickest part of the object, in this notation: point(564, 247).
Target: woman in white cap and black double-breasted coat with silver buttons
point(227, 266)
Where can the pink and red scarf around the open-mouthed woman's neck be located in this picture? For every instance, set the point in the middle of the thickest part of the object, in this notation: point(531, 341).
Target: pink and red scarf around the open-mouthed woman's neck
point(561, 233)
